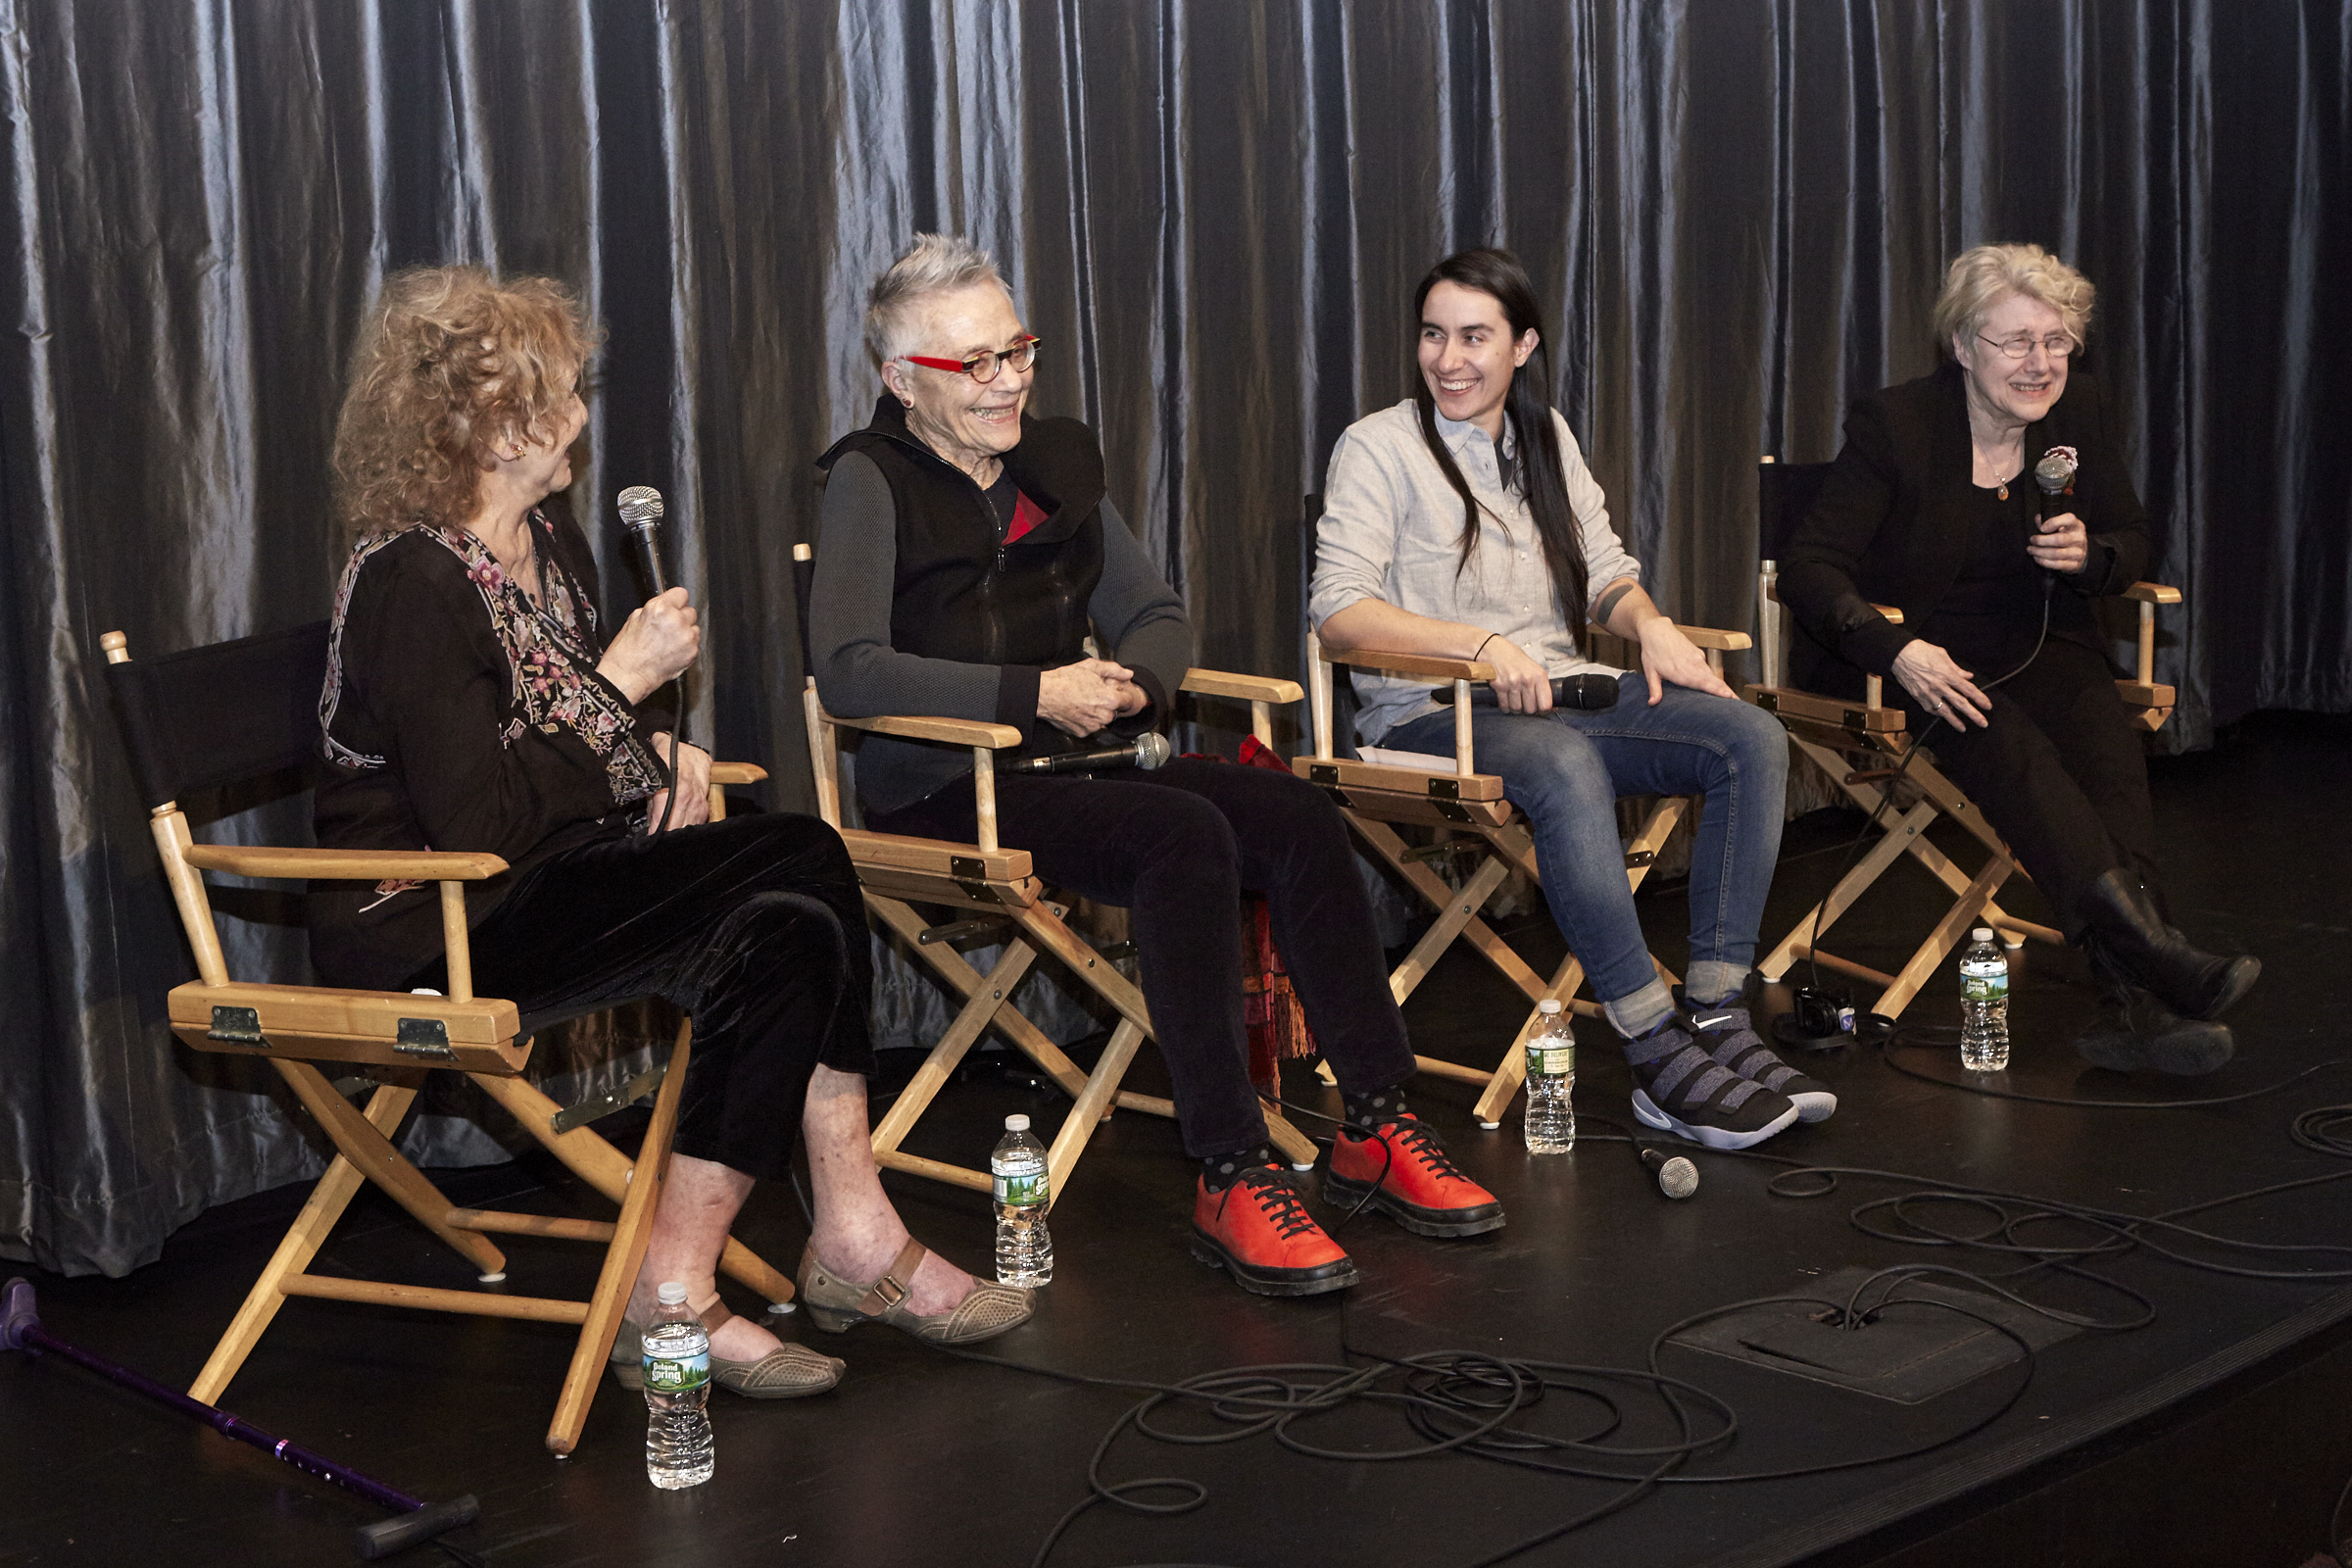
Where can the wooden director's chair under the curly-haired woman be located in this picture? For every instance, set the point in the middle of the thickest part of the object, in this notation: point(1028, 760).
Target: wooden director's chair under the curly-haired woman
point(248, 711)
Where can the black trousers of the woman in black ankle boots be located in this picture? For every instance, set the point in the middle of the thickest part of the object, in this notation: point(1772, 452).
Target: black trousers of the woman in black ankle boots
point(2059, 772)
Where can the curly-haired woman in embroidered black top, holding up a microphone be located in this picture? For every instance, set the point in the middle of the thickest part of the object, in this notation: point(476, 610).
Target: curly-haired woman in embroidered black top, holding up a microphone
point(474, 704)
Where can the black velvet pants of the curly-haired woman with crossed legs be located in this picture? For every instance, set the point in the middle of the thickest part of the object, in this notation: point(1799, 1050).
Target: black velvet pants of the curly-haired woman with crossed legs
point(751, 925)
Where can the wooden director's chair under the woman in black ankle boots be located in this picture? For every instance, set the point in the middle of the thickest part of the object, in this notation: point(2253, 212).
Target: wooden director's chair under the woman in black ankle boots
point(1864, 751)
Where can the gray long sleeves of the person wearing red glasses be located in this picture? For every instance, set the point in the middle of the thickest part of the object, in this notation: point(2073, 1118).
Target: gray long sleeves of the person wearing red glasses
point(862, 676)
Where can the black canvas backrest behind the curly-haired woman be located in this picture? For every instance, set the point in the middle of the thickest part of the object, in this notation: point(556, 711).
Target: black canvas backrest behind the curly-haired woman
point(215, 716)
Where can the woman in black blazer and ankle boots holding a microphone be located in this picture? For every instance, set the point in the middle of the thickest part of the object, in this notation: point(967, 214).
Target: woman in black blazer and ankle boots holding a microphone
point(1935, 509)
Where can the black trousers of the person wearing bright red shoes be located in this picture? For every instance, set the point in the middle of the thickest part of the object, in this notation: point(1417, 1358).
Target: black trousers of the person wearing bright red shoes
point(1177, 847)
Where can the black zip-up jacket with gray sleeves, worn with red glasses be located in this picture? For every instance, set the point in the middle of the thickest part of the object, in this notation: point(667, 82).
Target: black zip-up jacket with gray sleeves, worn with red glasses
point(921, 608)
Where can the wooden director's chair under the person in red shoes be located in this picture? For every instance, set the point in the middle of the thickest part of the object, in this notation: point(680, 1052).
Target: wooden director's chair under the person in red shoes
point(998, 894)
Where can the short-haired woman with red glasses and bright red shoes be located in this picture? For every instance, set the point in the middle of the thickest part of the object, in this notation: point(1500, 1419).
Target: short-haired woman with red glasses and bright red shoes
point(968, 554)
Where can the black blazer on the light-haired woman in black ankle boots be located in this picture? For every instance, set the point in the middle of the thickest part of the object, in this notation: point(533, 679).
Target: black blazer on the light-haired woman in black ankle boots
point(1887, 525)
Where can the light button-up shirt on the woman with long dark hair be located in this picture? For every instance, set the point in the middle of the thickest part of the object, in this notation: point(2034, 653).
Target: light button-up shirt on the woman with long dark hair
point(1394, 530)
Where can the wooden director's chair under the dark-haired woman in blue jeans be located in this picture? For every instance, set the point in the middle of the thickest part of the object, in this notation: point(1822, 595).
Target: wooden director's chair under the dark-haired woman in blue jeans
point(1387, 789)
